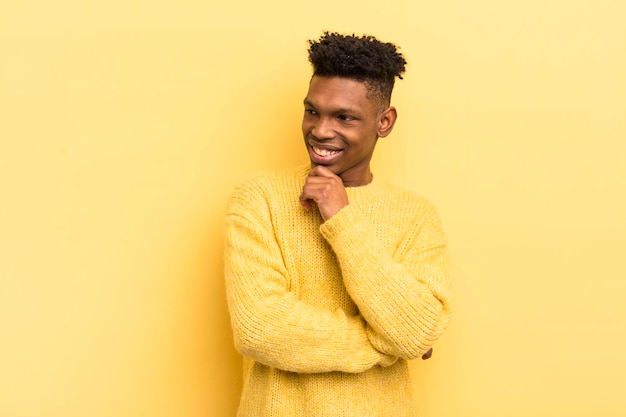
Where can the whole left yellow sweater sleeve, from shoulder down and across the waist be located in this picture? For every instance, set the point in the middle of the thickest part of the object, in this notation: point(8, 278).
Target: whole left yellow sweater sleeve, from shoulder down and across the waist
point(270, 325)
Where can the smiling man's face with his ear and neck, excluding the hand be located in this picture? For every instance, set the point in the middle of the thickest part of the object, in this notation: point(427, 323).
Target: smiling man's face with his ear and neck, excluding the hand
point(341, 126)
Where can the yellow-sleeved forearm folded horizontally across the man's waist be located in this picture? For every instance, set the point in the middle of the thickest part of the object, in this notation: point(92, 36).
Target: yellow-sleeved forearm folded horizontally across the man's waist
point(287, 334)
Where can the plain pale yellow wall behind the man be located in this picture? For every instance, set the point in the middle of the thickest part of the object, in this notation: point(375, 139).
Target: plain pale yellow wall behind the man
point(125, 124)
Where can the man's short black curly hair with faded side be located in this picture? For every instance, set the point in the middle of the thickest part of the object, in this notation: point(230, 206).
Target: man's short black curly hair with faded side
point(362, 58)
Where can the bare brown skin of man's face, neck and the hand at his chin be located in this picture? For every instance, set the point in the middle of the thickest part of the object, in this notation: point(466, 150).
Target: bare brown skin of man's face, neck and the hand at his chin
point(340, 118)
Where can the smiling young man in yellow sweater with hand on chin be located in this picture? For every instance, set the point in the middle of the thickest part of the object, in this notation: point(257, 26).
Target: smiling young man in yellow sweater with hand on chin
point(335, 279)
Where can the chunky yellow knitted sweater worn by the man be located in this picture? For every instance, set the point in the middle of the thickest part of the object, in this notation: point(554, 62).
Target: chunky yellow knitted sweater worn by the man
point(326, 314)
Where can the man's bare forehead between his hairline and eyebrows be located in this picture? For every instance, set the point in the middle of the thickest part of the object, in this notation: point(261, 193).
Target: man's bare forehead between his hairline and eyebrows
point(338, 92)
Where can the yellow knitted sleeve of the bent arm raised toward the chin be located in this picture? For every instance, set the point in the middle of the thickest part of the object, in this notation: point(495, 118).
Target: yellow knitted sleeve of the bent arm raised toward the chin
point(403, 296)
